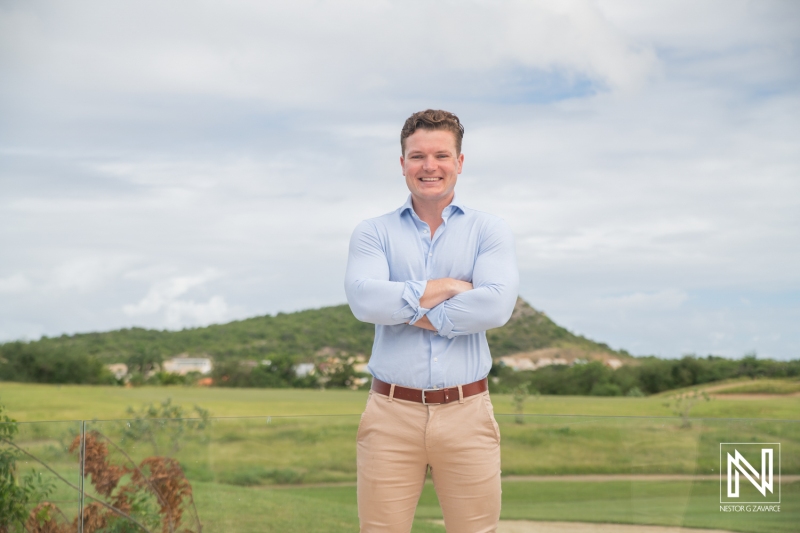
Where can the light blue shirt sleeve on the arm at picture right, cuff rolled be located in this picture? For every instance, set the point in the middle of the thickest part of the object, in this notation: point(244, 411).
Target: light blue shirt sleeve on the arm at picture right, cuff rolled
point(495, 288)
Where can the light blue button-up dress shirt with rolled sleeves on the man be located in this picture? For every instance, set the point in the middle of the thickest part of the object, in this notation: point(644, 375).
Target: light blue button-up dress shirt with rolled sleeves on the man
point(392, 257)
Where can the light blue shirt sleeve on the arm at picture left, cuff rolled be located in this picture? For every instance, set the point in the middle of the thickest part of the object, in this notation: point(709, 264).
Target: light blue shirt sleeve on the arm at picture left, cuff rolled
point(372, 297)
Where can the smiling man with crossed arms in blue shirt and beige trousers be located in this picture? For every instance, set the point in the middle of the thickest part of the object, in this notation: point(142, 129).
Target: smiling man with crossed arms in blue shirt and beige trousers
point(432, 276)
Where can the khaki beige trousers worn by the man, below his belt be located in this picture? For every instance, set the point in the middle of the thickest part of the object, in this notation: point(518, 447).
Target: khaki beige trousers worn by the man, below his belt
point(397, 441)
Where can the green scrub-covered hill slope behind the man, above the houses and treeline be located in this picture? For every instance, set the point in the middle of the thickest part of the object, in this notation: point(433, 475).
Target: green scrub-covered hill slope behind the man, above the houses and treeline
point(301, 335)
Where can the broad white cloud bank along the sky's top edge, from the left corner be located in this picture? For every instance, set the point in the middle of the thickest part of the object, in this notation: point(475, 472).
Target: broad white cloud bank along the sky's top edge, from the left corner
point(308, 53)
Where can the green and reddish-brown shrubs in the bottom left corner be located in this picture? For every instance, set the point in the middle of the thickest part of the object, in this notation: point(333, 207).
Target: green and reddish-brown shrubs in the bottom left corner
point(153, 495)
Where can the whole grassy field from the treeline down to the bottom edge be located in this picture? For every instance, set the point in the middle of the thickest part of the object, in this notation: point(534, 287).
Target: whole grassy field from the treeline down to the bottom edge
point(264, 473)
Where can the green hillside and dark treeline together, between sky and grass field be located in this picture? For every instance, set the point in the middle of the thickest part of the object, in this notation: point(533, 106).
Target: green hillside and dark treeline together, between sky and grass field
point(263, 352)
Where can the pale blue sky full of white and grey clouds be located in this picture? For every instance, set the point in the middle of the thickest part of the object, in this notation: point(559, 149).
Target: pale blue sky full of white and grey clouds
point(175, 164)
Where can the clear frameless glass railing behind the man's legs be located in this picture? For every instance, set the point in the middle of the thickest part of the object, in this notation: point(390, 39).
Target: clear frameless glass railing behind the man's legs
point(288, 474)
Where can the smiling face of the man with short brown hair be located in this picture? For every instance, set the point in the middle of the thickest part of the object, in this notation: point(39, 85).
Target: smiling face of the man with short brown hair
point(431, 165)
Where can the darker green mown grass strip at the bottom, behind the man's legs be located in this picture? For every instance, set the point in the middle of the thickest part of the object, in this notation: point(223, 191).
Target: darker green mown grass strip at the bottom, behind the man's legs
point(674, 503)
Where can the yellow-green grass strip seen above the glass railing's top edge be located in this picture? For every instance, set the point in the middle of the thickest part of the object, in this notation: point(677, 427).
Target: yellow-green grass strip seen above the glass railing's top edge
point(29, 402)
